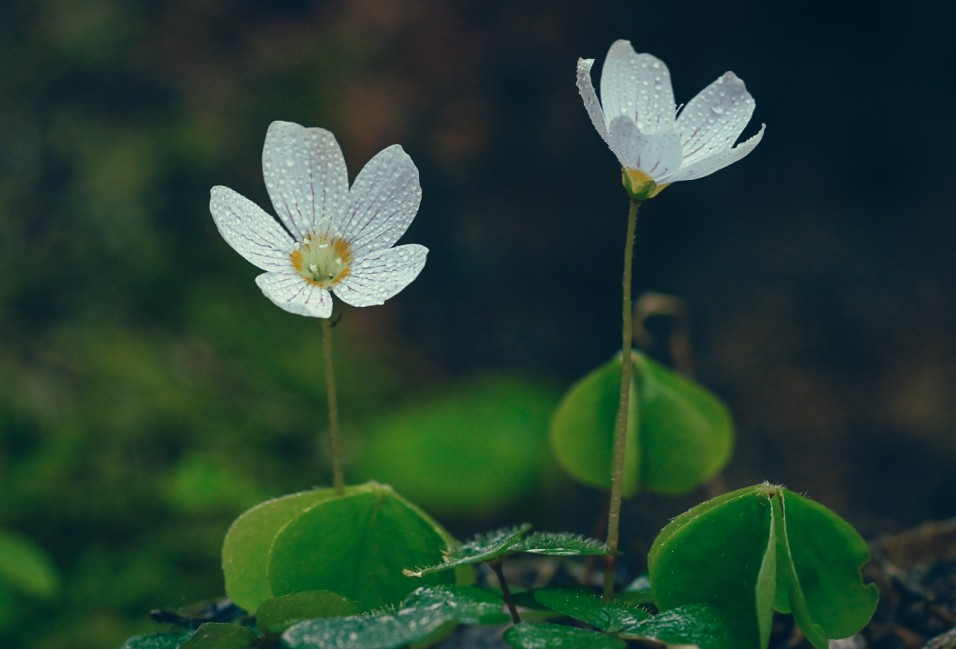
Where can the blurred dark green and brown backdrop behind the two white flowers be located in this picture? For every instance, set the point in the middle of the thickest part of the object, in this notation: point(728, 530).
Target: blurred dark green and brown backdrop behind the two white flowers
point(149, 393)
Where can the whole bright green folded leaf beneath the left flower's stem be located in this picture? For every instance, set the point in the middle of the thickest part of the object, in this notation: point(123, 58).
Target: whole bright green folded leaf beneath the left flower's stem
point(355, 544)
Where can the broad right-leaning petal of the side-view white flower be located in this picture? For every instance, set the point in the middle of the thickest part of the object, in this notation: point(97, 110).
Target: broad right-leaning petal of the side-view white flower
point(714, 119)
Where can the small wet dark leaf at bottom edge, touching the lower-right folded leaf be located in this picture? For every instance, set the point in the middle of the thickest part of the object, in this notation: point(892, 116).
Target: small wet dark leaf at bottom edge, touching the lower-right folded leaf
point(694, 624)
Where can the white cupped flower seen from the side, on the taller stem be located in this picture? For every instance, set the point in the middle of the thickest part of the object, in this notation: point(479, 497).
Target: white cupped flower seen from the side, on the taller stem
point(638, 119)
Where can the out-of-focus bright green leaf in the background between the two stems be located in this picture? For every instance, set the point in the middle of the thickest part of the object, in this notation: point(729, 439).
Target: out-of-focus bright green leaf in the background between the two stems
point(449, 452)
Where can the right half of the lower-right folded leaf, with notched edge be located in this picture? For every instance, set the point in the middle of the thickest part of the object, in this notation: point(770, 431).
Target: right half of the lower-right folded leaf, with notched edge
point(821, 556)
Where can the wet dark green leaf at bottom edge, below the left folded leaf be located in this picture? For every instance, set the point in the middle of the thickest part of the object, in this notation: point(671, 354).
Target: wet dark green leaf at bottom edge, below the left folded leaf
point(424, 613)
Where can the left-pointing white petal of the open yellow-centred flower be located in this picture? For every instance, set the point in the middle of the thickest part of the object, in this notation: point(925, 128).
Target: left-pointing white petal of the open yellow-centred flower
point(249, 230)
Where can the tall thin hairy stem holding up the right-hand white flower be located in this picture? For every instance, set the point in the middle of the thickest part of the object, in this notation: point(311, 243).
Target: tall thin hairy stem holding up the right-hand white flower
point(620, 432)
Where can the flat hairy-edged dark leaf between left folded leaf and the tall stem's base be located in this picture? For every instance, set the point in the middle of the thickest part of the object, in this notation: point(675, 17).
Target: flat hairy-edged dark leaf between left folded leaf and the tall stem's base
point(494, 546)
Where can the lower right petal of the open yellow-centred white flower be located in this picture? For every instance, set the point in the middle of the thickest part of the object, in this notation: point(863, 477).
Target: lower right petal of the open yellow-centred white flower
point(378, 277)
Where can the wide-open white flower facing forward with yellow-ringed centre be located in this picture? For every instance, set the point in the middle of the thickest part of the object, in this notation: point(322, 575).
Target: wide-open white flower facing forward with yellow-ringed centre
point(331, 238)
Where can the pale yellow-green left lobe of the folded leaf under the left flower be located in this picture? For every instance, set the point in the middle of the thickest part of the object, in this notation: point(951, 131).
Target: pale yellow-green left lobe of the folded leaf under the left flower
point(246, 547)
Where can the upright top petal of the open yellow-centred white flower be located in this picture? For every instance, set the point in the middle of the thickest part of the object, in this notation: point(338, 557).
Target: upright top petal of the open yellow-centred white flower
point(306, 176)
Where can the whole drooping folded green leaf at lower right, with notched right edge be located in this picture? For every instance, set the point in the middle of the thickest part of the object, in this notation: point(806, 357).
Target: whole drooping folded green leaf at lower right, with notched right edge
point(760, 548)
